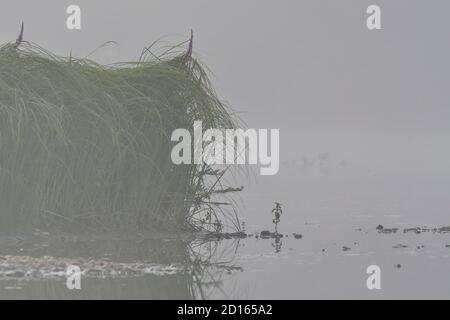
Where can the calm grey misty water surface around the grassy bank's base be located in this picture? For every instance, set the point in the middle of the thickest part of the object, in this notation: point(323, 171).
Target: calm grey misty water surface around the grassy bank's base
point(335, 190)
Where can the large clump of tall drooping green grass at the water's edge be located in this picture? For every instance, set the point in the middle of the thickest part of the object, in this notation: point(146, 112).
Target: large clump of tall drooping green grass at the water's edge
point(87, 147)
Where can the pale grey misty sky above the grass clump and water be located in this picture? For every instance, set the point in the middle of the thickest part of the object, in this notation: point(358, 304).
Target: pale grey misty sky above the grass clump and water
point(301, 65)
